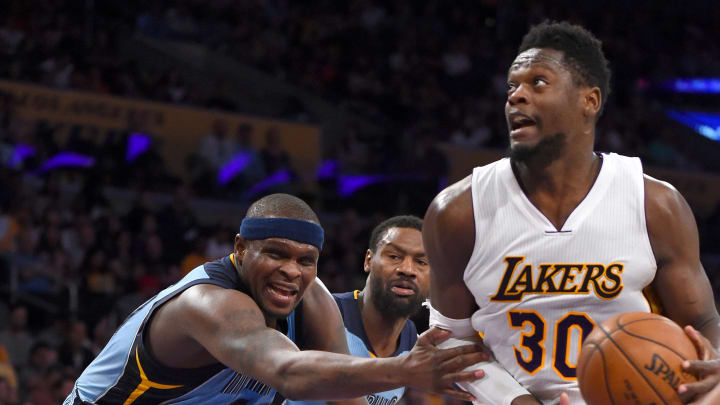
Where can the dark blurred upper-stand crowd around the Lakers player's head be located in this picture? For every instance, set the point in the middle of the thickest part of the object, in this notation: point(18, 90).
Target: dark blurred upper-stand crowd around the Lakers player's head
point(438, 69)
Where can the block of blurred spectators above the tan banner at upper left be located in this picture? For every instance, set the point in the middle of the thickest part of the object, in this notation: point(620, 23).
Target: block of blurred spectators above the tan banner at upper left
point(66, 45)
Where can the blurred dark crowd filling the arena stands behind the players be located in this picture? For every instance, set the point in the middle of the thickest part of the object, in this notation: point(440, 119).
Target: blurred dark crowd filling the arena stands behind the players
point(73, 263)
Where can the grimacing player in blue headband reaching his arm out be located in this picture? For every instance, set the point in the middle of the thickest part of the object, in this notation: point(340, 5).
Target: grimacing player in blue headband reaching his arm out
point(225, 332)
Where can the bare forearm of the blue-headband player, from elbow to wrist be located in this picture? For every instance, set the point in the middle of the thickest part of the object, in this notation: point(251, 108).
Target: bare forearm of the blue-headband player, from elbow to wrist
point(315, 375)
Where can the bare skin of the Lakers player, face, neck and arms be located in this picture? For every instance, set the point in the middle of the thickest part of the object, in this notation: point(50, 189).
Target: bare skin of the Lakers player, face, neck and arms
point(543, 93)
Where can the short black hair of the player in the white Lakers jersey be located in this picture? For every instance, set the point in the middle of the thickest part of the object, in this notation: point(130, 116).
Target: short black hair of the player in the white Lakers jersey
point(581, 49)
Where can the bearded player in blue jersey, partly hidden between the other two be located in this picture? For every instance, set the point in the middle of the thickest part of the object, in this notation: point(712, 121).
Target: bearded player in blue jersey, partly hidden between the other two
point(376, 319)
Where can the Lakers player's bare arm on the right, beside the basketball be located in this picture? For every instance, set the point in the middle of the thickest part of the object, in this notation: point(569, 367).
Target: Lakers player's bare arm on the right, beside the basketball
point(680, 283)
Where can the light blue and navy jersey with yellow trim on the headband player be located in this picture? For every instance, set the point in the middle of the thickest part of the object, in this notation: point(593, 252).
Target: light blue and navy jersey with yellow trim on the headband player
point(126, 372)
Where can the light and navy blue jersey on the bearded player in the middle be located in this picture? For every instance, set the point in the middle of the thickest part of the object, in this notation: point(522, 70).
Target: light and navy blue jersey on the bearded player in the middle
point(360, 346)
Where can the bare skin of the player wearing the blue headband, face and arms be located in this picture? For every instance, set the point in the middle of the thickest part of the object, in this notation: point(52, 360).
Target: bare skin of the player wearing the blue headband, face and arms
point(207, 324)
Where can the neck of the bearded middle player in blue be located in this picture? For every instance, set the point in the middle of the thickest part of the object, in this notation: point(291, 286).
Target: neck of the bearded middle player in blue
point(382, 330)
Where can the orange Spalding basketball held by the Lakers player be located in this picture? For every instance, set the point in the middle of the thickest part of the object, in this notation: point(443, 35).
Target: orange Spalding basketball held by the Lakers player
point(634, 358)
